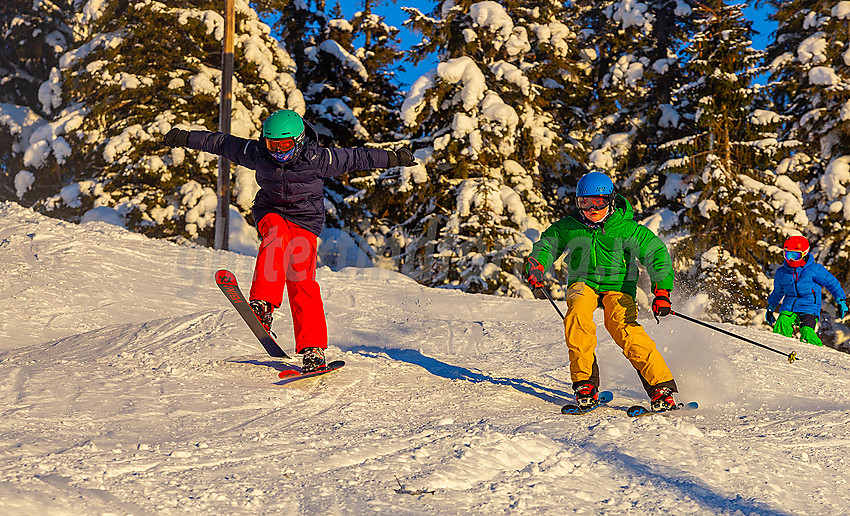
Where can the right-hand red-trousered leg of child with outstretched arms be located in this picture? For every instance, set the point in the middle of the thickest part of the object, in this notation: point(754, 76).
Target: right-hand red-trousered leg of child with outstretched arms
point(305, 299)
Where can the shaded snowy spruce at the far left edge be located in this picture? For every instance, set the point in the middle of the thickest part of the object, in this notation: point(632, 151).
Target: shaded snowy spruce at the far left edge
point(34, 34)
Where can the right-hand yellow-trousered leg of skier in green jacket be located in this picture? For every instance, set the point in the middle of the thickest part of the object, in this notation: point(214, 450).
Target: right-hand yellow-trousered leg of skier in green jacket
point(638, 347)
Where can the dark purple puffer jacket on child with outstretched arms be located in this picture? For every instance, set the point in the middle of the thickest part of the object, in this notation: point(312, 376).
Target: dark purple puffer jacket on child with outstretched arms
point(293, 189)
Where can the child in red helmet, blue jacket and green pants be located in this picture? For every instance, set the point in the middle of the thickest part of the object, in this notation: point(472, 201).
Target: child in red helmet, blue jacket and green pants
point(797, 286)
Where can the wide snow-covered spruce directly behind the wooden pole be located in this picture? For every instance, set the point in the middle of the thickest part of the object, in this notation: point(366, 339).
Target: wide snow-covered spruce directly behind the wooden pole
point(137, 70)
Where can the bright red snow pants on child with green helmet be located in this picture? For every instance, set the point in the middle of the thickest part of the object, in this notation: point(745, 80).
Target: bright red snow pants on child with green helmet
point(287, 259)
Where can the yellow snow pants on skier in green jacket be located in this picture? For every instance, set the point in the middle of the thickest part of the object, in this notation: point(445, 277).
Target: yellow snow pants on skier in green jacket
point(621, 322)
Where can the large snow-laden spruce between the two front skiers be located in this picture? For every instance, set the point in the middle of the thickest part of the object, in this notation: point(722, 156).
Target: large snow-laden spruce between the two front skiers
point(467, 214)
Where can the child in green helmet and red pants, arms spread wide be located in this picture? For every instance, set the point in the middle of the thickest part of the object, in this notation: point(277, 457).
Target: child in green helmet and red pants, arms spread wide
point(289, 211)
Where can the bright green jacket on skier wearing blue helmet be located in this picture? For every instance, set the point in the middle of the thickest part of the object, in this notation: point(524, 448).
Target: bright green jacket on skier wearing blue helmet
point(604, 257)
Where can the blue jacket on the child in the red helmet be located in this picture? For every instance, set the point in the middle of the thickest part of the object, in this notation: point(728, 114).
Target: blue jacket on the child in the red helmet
point(799, 288)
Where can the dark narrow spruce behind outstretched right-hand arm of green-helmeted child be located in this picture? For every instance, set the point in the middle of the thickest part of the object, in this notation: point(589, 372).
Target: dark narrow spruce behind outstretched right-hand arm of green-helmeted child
point(355, 100)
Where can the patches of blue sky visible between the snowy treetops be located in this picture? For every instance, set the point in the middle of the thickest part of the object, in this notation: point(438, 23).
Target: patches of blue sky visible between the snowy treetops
point(391, 10)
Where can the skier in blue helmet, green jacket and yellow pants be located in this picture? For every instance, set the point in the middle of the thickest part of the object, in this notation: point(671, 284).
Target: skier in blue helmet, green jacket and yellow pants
point(604, 242)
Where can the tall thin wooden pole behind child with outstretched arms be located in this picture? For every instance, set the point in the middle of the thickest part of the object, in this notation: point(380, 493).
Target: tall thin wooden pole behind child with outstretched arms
point(222, 214)
